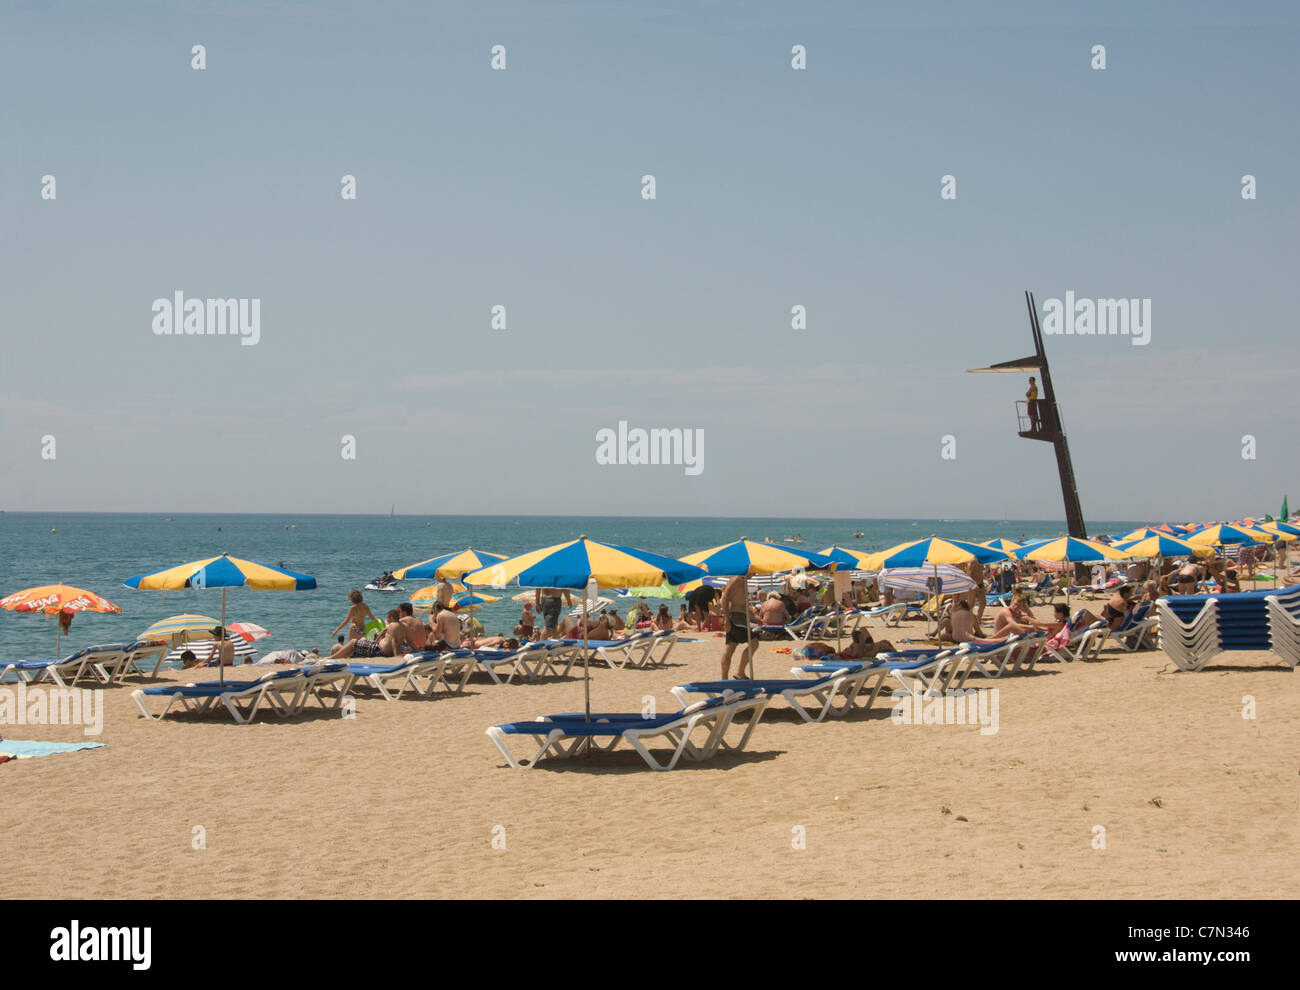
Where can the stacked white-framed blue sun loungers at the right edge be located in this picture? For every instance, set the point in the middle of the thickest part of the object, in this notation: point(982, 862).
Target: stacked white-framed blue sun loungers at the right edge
point(1197, 628)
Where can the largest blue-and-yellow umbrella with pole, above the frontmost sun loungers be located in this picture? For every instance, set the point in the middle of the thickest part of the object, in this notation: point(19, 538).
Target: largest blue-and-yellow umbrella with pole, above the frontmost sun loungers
point(582, 563)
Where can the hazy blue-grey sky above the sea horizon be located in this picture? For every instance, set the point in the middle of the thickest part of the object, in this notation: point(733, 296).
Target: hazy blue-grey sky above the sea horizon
point(775, 188)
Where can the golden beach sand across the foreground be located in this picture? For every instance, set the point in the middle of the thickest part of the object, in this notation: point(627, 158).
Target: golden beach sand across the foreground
point(405, 800)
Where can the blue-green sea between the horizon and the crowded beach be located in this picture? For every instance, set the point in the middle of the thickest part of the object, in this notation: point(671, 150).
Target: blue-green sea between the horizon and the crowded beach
point(99, 552)
